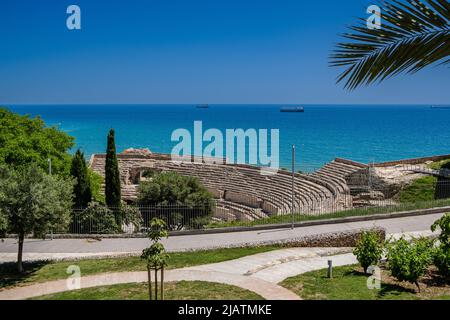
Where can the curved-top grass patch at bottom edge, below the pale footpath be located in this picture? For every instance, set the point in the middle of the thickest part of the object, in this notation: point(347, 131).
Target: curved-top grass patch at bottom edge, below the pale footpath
point(182, 290)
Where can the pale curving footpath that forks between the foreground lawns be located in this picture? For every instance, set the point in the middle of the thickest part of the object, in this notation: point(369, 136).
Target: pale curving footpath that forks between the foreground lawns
point(259, 273)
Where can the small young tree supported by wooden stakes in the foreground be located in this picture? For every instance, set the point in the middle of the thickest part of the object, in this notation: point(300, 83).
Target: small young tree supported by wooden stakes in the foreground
point(156, 255)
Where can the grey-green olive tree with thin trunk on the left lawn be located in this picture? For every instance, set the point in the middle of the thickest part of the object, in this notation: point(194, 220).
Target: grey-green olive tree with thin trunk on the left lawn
point(33, 202)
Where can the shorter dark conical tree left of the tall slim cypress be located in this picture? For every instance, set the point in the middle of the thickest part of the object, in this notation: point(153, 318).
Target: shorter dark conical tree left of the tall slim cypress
point(82, 189)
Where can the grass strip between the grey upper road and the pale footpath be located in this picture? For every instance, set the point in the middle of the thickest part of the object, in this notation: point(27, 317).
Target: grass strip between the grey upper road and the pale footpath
point(47, 271)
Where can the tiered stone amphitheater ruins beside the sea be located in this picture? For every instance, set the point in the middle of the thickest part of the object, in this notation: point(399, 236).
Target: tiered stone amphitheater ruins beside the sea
point(242, 193)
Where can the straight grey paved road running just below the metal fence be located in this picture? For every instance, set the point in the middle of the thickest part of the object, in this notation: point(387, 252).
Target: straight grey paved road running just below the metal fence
point(71, 248)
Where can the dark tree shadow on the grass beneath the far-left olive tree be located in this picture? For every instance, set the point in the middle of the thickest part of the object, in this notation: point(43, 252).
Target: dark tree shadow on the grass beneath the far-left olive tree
point(9, 276)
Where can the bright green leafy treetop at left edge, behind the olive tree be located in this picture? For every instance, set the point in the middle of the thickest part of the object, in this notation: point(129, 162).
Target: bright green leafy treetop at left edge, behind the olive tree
point(25, 140)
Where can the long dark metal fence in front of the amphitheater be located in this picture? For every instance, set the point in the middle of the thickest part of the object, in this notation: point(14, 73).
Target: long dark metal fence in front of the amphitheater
point(249, 210)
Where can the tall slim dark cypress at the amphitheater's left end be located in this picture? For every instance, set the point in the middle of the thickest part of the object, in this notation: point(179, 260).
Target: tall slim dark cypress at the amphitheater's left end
point(112, 175)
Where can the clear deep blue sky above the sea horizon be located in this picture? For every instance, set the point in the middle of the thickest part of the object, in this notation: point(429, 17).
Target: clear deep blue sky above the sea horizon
point(189, 51)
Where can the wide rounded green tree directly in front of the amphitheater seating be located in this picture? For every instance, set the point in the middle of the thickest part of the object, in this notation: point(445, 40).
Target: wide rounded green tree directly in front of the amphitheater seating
point(182, 201)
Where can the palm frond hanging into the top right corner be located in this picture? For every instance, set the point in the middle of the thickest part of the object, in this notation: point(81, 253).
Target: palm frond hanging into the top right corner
point(413, 35)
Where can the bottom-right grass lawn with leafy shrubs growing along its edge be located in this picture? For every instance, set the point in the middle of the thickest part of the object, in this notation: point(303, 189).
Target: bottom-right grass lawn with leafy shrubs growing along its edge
point(349, 283)
